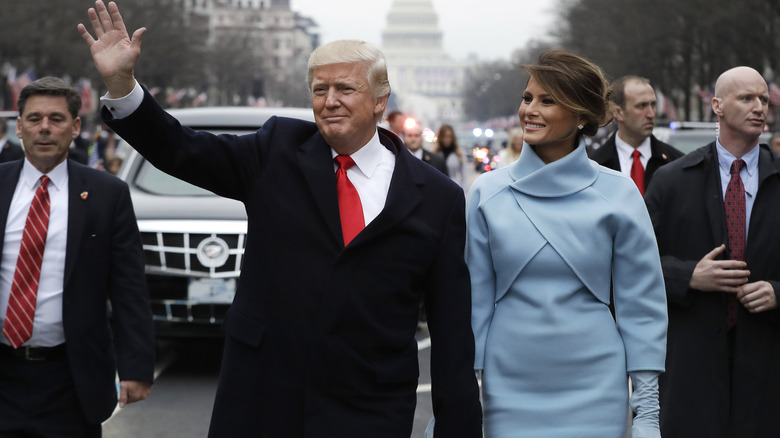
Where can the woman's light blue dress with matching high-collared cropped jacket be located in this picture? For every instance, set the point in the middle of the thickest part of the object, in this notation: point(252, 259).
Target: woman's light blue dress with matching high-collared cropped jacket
point(586, 224)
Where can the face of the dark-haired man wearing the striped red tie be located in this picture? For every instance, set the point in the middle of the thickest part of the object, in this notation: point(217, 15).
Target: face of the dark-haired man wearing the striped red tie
point(46, 129)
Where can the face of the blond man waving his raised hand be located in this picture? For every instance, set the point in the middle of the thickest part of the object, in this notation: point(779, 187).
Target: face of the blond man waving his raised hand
point(345, 109)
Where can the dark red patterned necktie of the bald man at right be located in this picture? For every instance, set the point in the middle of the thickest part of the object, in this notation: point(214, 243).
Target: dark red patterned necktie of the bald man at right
point(734, 203)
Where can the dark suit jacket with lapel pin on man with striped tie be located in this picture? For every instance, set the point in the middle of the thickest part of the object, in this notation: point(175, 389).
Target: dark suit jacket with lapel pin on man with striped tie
point(104, 262)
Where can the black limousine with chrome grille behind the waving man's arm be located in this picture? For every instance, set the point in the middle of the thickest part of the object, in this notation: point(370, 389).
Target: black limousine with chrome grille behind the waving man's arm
point(193, 240)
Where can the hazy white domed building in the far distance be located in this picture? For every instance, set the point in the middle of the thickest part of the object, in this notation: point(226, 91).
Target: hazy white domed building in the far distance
point(426, 83)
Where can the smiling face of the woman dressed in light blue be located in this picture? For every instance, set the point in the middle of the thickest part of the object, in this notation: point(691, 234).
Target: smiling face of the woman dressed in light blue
point(544, 121)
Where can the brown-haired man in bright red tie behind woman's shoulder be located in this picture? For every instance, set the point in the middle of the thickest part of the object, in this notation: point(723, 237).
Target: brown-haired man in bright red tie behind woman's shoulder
point(634, 103)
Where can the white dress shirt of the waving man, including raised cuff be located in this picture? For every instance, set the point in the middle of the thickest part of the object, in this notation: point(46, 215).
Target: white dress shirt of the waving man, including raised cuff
point(371, 174)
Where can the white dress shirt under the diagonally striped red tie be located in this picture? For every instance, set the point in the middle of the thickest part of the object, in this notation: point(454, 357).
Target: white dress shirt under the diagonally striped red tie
point(47, 325)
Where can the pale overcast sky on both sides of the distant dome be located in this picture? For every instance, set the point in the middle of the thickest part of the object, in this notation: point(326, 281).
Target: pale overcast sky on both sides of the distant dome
point(492, 32)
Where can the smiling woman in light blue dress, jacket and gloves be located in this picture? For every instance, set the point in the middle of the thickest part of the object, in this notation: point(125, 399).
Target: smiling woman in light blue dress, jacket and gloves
point(547, 238)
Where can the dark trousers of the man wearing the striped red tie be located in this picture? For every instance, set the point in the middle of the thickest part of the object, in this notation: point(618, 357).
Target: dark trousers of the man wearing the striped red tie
point(38, 400)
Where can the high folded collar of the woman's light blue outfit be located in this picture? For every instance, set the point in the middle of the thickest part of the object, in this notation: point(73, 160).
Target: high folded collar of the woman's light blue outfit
point(570, 174)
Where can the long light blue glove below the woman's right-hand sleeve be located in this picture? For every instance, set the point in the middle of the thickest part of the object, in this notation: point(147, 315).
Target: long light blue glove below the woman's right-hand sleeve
point(644, 402)
